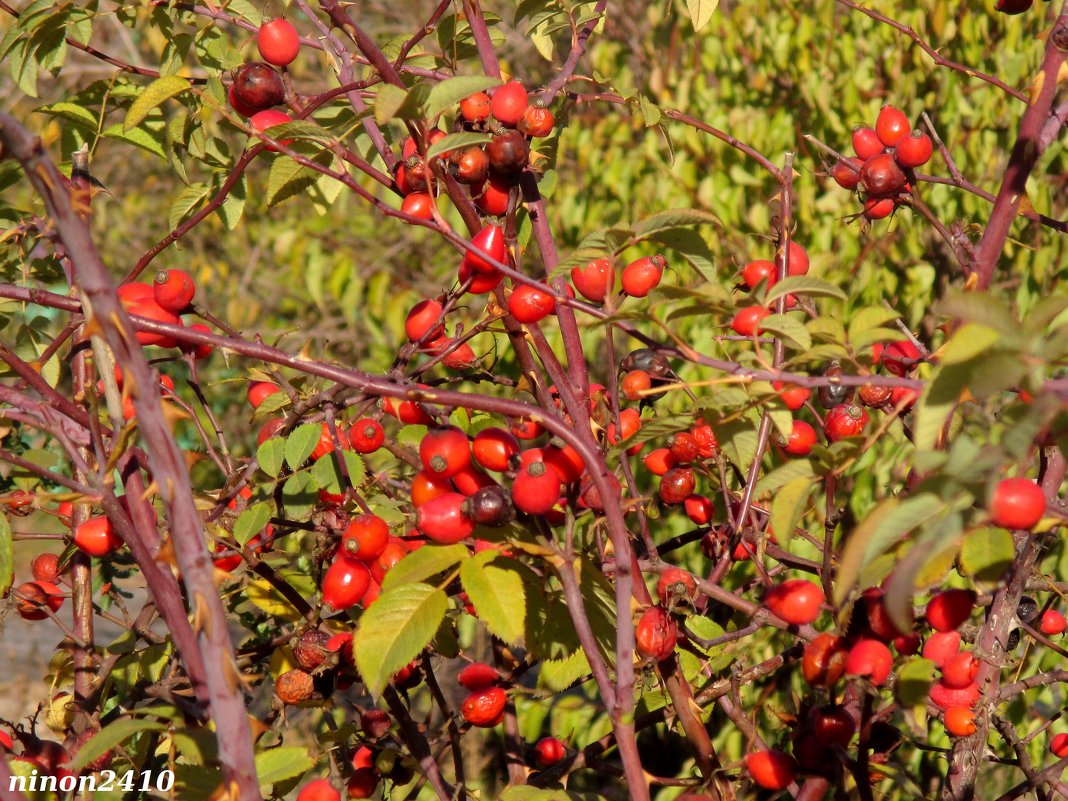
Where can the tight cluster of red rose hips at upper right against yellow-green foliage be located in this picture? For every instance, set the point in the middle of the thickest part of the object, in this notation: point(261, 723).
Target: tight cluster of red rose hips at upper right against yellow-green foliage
point(883, 169)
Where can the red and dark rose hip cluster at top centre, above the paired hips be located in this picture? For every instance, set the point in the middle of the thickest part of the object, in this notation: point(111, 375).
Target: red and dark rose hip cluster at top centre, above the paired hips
point(490, 170)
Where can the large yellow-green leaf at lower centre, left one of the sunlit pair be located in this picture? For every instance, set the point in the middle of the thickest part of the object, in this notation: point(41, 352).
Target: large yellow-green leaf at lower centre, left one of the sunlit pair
point(395, 631)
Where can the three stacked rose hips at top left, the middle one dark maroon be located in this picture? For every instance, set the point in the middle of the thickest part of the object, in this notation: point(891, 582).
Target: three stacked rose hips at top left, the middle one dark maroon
point(258, 87)
